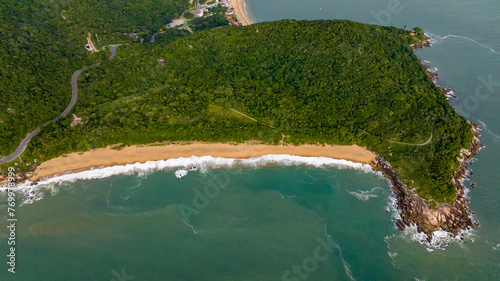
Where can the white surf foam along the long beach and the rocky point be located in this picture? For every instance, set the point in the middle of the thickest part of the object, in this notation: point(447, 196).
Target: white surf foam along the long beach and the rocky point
point(32, 193)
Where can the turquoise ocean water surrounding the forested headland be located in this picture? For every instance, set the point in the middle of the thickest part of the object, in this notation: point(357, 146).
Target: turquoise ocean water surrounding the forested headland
point(279, 223)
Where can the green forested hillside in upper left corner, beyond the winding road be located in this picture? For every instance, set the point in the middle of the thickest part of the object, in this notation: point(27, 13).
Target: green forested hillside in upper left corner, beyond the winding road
point(40, 50)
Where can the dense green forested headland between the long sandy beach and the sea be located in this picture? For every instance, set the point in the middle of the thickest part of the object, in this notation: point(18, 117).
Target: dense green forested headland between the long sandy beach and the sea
point(336, 82)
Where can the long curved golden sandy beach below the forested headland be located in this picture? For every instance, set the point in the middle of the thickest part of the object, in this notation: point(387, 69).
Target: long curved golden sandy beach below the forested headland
point(105, 157)
